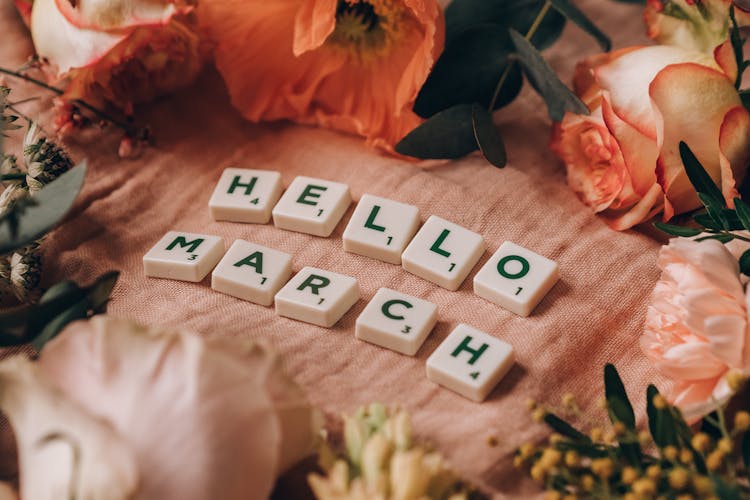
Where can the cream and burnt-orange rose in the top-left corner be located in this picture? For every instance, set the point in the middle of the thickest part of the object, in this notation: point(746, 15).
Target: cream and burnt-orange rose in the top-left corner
point(121, 52)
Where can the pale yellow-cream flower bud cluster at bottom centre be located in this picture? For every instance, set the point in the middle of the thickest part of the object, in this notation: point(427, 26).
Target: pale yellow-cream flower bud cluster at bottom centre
point(383, 462)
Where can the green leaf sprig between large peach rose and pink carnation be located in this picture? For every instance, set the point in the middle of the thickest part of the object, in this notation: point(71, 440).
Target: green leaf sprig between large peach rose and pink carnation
point(716, 221)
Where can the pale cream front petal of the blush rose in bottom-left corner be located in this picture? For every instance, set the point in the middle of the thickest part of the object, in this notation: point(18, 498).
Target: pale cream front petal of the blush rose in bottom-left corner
point(64, 451)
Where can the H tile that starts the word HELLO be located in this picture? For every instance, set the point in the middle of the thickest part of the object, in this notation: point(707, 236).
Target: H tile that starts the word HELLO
point(245, 195)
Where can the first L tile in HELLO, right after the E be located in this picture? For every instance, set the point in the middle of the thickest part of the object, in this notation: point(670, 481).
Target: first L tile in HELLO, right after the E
point(381, 228)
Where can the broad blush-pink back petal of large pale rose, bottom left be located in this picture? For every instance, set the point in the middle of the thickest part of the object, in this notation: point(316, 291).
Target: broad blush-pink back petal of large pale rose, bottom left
point(215, 407)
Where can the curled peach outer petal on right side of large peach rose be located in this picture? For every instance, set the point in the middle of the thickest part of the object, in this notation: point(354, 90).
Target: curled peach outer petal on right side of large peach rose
point(690, 102)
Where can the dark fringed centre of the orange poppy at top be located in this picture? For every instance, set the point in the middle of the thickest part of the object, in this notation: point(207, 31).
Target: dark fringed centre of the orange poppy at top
point(367, 29)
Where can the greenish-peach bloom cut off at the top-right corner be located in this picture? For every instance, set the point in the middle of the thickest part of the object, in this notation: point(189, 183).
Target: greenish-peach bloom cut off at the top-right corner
point(700, 25)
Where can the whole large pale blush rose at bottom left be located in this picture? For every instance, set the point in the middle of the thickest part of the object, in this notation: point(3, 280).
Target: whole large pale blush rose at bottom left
point(194, 418)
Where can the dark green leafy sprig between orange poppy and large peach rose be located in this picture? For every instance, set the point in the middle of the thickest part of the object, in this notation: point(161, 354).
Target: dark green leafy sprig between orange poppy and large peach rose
point(490, 46)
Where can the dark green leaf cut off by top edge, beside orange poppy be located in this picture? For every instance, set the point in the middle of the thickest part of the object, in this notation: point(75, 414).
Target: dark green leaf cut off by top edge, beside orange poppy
point(461, 15)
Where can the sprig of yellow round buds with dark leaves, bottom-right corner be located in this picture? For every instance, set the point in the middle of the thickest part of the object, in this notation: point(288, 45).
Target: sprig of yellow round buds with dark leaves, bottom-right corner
point(669, 461)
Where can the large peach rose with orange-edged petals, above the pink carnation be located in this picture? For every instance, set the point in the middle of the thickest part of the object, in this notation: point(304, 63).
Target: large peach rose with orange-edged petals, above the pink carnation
point(623, 159)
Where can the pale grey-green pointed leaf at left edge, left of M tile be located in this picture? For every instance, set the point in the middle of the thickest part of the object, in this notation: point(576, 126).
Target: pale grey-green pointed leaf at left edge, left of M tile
point(52, 204)
